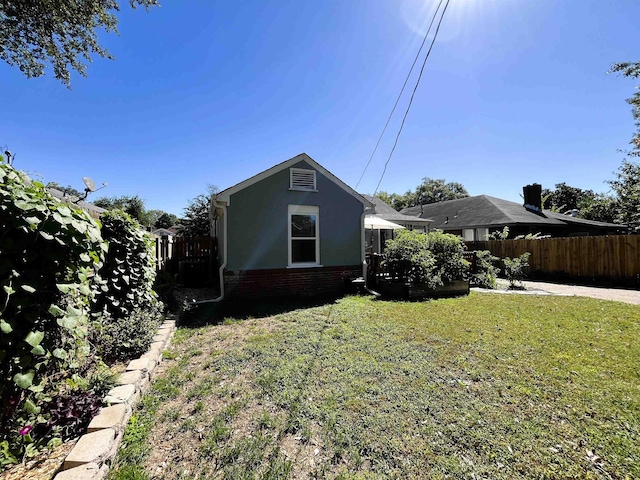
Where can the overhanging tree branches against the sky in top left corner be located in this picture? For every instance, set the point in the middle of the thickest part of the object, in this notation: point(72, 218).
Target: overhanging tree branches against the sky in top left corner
point(61, 33)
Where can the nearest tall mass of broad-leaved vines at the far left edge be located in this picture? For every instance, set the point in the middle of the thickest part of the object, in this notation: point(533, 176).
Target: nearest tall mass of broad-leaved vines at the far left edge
point(49, 252)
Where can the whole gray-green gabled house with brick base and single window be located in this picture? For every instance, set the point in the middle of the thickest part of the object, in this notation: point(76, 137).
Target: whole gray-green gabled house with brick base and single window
point(294, 229)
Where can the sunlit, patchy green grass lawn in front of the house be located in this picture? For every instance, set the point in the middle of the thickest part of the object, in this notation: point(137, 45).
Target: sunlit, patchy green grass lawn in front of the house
point(486, 386)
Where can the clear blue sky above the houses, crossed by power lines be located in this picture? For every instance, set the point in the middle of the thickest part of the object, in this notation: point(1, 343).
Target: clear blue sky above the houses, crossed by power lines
point(213, 92)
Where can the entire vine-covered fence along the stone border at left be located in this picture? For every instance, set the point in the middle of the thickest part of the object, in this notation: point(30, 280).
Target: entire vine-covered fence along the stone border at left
point(72, 290)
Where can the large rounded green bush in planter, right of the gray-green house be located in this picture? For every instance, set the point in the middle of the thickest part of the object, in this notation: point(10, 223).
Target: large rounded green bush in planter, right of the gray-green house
point(432, 259)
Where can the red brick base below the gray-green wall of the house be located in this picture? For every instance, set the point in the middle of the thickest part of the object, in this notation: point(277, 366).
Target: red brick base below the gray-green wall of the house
point(290, 281)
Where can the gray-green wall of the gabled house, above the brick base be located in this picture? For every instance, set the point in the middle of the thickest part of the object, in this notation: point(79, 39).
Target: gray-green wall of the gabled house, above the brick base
point(258, 216)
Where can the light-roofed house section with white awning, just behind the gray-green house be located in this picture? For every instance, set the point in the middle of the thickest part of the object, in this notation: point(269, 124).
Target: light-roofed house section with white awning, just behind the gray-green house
point(375, 237)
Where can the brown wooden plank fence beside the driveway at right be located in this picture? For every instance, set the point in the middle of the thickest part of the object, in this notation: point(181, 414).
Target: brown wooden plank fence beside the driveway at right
point(614, 258)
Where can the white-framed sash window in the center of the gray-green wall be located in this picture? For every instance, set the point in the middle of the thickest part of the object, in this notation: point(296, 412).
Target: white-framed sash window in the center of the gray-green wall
point(304, 241)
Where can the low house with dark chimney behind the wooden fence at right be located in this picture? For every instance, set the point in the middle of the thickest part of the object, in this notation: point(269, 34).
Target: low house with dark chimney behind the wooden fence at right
point(475, 218)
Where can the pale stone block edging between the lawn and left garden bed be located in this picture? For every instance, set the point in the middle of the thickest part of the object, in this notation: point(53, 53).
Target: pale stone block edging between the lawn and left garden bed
point(92, 455)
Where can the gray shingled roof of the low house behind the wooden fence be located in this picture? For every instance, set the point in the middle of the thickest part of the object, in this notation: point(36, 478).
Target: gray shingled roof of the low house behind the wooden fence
point(479, 211)
